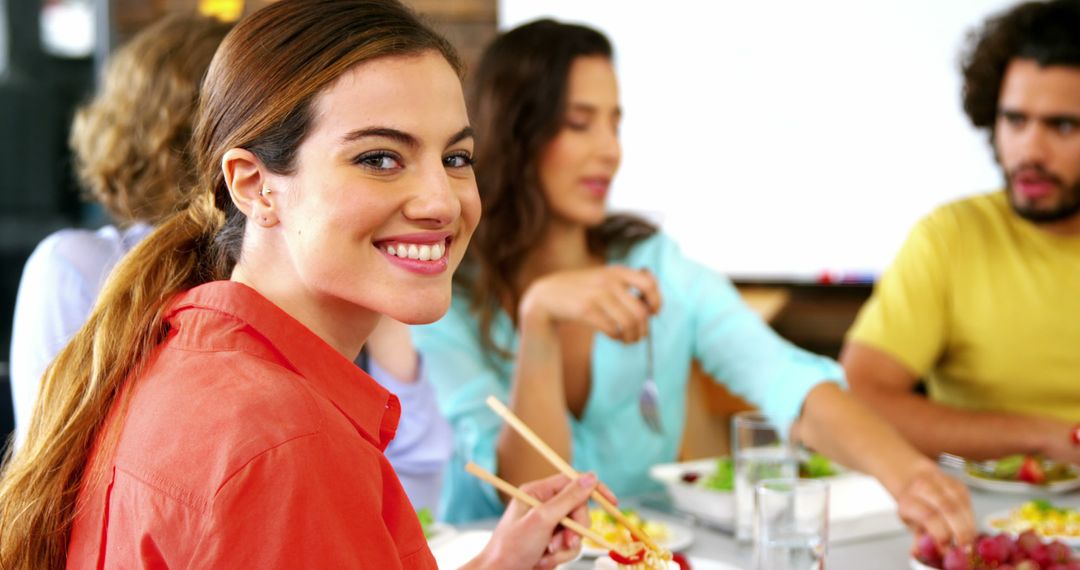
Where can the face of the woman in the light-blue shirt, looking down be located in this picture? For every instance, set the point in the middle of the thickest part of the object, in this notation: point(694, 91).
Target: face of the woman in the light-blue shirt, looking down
point(577, 167)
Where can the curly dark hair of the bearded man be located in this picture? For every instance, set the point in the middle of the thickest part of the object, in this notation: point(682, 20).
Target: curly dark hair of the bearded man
point(1048, 33)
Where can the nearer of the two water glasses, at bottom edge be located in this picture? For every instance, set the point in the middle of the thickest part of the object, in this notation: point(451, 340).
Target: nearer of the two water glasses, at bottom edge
point(791, 524)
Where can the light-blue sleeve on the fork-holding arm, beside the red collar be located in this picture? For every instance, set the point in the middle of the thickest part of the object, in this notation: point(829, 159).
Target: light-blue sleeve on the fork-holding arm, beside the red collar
point(464, 378)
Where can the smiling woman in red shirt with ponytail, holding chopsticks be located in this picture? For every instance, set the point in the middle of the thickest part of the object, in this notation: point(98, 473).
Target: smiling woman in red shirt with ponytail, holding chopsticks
point(209, 414)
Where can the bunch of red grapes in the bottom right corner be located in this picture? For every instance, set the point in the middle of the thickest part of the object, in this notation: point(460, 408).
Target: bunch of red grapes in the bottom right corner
point(1001, 552)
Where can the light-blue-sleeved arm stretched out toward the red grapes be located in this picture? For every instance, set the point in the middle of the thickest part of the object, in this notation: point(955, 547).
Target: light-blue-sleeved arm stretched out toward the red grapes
point(787, 383)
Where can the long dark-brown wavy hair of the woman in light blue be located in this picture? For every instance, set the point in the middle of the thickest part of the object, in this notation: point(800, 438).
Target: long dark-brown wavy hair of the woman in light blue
point(518, 104)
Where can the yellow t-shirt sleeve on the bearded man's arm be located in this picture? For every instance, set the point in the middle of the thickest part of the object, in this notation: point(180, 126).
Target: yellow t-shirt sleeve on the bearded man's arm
point(907, 317)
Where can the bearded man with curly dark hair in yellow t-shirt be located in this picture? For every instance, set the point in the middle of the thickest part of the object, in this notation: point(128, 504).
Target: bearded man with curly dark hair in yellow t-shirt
point(983, 301)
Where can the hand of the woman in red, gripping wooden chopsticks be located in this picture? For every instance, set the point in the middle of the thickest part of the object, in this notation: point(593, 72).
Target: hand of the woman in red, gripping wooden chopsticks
point(532, 538)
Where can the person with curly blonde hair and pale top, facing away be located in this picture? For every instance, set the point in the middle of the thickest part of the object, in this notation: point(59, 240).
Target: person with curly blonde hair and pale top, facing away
point(131, 154)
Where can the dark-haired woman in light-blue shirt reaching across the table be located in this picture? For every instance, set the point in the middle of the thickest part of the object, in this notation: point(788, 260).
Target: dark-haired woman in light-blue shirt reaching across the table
point(556, 298)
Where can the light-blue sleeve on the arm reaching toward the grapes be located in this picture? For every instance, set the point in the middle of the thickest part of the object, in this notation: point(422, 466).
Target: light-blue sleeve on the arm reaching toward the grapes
point(736, 347)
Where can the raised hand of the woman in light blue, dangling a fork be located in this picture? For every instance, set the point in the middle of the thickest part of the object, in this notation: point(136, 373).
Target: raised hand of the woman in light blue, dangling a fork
point(614, 300)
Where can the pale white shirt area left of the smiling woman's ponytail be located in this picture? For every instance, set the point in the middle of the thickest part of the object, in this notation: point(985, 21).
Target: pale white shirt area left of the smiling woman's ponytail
point(60, 286)
